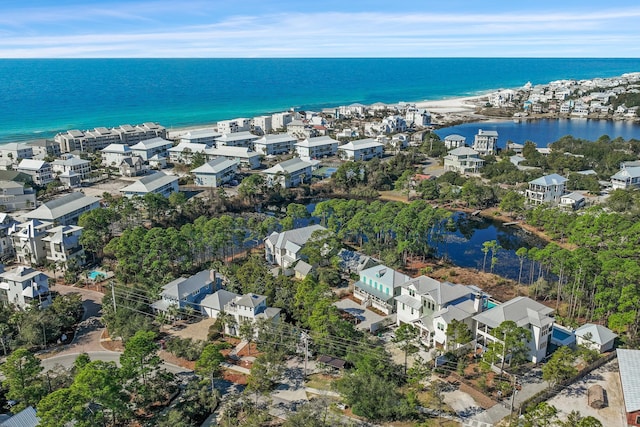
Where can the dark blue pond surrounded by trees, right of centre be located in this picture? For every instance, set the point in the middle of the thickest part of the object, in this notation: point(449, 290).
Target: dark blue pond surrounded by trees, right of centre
point(463, 244)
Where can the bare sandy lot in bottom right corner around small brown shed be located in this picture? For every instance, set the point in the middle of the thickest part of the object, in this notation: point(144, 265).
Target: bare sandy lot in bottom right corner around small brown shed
point(575, 396)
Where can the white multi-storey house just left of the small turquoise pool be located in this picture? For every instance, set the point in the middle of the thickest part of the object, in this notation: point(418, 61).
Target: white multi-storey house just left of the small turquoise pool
point(62, 245)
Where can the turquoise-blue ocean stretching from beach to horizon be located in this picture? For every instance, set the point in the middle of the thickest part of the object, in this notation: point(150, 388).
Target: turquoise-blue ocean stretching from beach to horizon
point(41, 97)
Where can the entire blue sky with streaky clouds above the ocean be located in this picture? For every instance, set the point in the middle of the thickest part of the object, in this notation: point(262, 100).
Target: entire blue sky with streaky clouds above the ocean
point(327, 28)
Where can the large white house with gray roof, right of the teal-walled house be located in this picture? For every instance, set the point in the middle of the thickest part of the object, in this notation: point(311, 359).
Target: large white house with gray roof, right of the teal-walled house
point(432, 306)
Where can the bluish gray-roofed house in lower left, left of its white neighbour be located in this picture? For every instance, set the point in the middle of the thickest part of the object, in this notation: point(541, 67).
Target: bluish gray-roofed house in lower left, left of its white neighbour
point(188, 291)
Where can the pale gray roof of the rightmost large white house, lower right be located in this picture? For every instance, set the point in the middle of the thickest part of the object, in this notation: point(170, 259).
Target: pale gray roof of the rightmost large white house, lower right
point(521, 310)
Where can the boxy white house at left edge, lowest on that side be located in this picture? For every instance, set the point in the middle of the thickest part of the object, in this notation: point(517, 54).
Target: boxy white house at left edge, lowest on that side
point(23, 286)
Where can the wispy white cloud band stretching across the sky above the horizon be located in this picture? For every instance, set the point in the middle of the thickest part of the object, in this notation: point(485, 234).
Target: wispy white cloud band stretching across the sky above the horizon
point(606, 33)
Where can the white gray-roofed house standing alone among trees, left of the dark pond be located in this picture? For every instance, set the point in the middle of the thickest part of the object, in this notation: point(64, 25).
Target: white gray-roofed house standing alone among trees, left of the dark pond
point(284, 248)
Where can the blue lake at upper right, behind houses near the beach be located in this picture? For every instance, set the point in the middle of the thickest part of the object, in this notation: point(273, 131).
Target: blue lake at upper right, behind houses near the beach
point(545, 131)
